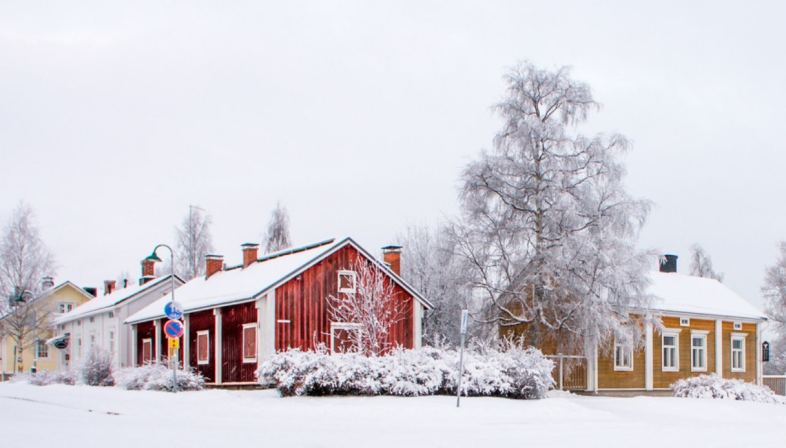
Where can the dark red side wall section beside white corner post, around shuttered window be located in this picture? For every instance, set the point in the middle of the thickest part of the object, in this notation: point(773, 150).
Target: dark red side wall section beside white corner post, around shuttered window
point(233, 369)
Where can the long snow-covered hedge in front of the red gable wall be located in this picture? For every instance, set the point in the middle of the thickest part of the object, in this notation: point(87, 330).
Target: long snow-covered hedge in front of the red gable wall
point(505, 371)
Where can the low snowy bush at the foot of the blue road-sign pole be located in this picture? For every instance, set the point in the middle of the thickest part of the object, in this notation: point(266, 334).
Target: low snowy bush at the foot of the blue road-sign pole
point(158, 377)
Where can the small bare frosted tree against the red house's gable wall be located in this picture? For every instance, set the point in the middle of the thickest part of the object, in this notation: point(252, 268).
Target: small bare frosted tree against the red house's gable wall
point(374, 307)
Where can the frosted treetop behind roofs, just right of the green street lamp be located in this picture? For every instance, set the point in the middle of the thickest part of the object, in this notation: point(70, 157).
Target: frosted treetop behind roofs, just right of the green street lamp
point(194, 241)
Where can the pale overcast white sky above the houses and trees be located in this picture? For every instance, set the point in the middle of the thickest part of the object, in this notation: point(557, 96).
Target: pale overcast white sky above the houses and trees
point(359, 118)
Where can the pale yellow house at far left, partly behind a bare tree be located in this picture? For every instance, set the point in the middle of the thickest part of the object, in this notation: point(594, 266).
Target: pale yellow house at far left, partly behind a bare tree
point(55, 300)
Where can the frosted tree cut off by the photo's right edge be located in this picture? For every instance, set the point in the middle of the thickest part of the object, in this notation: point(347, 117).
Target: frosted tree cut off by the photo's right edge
point(774, 291)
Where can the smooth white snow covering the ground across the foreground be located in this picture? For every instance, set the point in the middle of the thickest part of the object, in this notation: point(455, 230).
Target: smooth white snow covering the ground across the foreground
point(71, 416)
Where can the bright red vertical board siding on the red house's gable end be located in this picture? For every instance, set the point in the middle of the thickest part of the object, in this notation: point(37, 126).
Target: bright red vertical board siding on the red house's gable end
point(303, 302)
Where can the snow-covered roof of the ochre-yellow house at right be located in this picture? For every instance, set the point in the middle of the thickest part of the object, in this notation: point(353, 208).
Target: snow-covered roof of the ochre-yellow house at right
point(673, 292)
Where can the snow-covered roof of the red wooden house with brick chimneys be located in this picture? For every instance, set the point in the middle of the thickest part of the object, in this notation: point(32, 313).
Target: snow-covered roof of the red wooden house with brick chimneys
point(238, 284)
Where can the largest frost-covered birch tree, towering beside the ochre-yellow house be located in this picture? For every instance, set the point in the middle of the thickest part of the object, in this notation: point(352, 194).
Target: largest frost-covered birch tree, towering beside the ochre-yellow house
point(547, 225)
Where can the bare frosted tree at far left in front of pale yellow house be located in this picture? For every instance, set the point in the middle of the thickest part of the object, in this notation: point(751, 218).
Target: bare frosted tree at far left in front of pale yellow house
point(24, 260)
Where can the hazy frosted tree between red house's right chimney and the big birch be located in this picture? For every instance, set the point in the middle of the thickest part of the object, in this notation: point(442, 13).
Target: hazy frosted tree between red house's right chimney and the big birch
point(433, 267)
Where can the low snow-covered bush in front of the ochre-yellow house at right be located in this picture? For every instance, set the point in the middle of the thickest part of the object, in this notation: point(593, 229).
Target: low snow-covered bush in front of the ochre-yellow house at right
point(711, 386)
